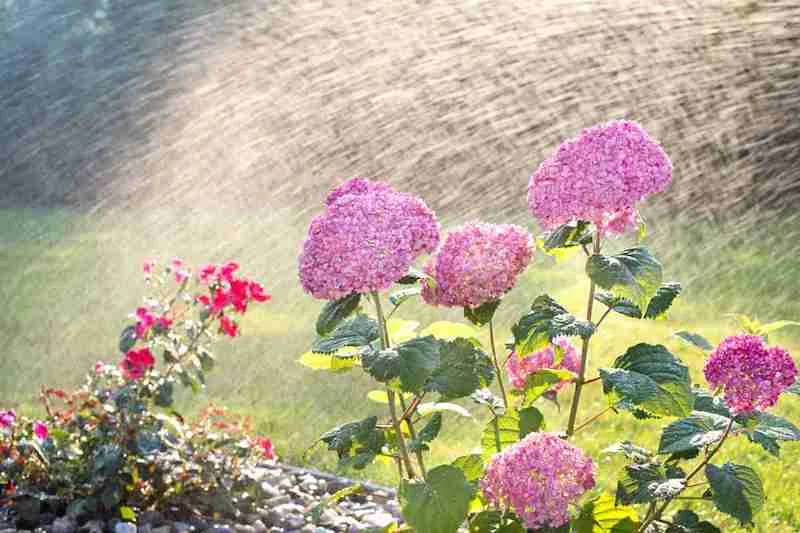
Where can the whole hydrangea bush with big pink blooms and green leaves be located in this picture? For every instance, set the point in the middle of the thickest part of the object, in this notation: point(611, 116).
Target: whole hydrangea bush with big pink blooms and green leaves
point(526, 473)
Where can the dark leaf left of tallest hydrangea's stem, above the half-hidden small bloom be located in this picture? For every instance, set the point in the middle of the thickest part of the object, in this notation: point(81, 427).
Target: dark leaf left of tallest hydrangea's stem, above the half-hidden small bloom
point(545, 321)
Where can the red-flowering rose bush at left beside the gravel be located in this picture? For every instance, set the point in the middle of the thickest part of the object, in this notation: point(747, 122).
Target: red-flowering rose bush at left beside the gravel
point(117, 445)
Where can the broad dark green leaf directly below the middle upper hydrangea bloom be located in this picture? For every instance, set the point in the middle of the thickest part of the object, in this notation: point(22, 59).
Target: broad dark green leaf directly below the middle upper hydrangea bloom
point(462, 370)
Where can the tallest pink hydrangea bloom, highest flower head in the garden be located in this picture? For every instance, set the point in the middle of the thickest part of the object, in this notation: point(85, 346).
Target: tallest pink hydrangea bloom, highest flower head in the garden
point(599, 176)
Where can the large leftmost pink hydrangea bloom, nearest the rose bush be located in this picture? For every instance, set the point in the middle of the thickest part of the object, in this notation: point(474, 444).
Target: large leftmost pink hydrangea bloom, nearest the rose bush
point(367, 238)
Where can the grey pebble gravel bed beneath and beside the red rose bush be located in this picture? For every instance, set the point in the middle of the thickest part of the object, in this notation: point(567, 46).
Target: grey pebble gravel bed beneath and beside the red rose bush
point(291, 494)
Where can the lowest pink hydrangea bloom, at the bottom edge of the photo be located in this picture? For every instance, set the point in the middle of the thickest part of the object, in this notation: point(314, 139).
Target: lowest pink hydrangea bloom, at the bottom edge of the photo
point(538, 478)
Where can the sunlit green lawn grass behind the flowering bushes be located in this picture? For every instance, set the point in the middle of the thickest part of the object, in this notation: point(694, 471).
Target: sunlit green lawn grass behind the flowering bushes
point(71, 279)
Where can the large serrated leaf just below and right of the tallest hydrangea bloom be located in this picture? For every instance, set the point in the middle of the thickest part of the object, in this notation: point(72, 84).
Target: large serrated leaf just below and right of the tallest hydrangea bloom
point(633, 274)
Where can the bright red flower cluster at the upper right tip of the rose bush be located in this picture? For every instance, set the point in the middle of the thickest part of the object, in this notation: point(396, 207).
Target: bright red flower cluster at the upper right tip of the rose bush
point(228, 291)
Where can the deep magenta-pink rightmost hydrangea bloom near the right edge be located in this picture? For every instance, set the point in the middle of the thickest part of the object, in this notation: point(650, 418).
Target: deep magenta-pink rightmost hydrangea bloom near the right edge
point(751, 374)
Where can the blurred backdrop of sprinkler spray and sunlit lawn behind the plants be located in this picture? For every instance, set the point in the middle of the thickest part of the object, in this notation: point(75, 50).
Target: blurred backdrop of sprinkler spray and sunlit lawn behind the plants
point(211, 129)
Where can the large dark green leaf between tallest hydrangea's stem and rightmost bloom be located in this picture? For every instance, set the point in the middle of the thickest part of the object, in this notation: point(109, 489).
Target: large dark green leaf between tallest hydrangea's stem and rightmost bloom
point(648, 378)
